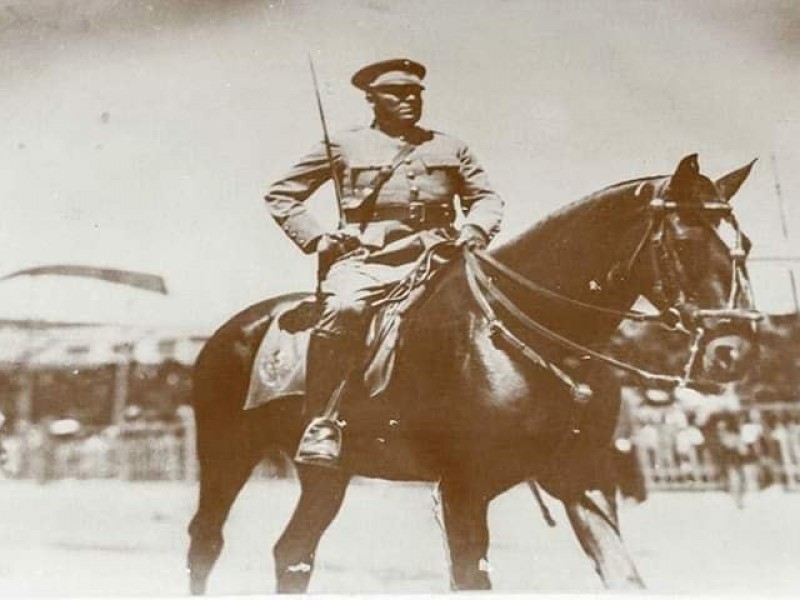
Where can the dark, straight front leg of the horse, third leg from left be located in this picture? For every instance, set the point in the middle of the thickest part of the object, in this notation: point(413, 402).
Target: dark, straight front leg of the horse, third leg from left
point(463, 510)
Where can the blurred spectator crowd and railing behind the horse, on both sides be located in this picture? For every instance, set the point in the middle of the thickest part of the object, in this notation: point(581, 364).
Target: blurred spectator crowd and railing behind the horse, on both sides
point(133, 420)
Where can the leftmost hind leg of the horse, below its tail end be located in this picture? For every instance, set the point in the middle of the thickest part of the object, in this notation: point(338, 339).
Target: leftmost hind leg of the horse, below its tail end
point(220, 483)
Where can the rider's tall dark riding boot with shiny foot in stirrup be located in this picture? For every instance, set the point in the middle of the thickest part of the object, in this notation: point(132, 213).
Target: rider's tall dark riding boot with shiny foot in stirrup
point(330, 360)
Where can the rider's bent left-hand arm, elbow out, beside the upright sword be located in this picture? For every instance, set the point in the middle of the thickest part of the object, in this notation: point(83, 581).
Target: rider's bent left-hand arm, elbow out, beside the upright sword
point(286, 197)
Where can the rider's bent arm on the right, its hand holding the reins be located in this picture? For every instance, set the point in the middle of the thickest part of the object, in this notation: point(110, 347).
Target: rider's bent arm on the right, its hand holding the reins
point(483, 206)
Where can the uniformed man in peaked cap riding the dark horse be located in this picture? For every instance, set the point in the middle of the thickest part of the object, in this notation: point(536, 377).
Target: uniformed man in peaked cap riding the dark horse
point(398, 184)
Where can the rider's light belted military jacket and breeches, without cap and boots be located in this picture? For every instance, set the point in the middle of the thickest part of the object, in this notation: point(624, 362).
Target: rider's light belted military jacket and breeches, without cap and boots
point(412, 209)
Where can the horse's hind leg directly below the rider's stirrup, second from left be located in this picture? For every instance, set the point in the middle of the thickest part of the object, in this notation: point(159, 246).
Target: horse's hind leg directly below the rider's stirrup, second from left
point(321, 496)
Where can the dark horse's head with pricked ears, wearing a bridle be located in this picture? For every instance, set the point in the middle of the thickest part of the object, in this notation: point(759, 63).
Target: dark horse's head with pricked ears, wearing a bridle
point(696, 266)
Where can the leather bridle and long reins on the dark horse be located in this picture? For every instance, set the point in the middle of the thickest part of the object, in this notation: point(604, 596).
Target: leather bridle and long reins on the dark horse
point(669, 293)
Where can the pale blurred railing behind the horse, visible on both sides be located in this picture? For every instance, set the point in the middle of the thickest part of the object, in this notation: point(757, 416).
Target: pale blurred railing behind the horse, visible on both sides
point(673, 453)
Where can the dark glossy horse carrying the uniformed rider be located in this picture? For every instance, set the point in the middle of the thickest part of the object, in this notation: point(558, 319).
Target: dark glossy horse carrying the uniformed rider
point(481, 397)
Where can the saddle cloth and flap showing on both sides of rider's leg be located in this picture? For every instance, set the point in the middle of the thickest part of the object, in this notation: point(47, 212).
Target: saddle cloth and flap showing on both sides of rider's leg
point(279, 368)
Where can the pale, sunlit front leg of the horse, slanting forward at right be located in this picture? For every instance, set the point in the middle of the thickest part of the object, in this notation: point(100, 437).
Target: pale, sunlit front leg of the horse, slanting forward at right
point(593, 516)
